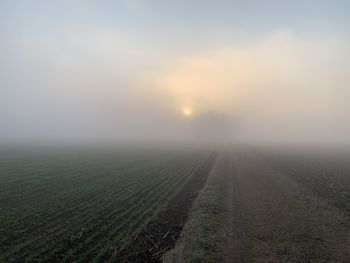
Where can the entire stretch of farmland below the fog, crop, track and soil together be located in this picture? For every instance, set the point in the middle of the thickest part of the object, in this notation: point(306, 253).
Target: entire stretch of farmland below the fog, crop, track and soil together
point(142, 205)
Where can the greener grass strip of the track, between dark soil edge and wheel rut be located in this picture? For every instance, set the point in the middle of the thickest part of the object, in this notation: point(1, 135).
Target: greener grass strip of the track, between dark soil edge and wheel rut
point(203, 238)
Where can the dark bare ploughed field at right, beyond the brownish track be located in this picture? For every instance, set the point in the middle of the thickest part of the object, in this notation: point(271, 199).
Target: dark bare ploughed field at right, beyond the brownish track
point(325, 174)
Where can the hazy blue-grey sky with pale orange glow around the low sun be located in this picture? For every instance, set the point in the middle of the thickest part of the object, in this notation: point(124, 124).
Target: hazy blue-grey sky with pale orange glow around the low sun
point(133, 69)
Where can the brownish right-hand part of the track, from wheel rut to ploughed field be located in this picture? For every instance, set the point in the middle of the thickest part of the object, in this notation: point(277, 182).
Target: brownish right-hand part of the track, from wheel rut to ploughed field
point(284, 221)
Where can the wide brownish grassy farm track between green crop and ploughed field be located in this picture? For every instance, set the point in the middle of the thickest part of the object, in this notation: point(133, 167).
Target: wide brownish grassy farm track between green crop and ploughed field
point(250, 212)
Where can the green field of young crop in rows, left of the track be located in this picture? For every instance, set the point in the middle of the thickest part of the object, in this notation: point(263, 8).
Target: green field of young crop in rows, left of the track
point(84, 206)
